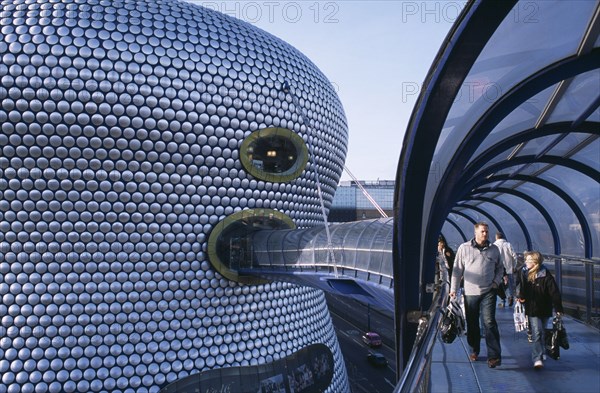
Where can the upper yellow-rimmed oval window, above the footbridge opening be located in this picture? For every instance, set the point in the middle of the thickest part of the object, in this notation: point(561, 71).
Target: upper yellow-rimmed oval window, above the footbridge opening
point(274, 154)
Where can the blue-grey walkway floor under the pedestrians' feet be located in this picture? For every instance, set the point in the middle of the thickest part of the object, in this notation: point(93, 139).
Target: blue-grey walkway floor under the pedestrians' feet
point(577, 370)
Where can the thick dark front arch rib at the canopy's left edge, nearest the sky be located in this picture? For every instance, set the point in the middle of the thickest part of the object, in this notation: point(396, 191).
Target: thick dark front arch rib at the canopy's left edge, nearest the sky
point(469, 35)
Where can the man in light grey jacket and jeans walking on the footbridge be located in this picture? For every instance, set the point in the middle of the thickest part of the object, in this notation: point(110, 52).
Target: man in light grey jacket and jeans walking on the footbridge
point(478, 262)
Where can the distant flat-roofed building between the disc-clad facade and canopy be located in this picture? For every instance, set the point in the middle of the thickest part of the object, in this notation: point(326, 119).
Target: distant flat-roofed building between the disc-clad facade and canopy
point(351, 204)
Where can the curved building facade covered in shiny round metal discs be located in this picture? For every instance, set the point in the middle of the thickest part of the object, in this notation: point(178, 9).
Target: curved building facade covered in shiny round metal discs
point(129, 130)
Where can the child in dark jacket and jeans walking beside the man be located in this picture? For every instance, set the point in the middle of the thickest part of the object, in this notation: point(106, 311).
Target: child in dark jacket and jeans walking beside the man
point(537, 288)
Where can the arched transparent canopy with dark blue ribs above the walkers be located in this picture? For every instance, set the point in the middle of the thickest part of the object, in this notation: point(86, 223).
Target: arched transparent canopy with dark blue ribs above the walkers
point(506, 130)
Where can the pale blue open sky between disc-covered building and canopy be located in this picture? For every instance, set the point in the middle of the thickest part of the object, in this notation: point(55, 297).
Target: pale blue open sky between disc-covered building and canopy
point(376, 53)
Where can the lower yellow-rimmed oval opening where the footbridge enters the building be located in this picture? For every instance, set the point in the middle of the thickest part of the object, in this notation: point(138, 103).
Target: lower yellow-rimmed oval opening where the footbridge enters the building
point(230, 245)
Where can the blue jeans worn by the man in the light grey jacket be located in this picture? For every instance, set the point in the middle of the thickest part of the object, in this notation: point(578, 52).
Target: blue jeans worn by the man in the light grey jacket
point(484, 305)
